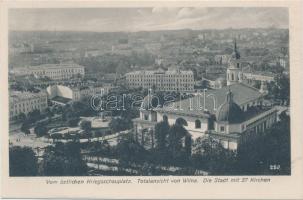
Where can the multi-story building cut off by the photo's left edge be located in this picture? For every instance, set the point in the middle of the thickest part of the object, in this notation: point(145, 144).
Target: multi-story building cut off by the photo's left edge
point(25, 102)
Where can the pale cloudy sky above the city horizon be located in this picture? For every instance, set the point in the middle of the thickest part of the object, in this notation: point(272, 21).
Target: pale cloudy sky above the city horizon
point(145, 19)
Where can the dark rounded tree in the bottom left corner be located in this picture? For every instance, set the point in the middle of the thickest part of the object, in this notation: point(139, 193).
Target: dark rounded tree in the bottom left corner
point(22, 161)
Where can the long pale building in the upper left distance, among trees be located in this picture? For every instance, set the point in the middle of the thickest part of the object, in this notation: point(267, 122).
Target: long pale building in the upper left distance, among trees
point(56, 71)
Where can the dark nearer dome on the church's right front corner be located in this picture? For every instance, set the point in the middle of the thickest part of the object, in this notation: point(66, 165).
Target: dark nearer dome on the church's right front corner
point(229, 111)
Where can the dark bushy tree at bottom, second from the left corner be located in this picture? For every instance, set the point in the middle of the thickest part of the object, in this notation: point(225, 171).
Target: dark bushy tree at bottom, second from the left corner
point(63, 160)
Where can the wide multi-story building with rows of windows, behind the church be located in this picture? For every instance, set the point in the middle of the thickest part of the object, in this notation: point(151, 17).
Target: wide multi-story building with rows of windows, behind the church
point(171, 80)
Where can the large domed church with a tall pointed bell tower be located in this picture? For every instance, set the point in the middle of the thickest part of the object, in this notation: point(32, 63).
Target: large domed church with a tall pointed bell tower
point(231, 115)
